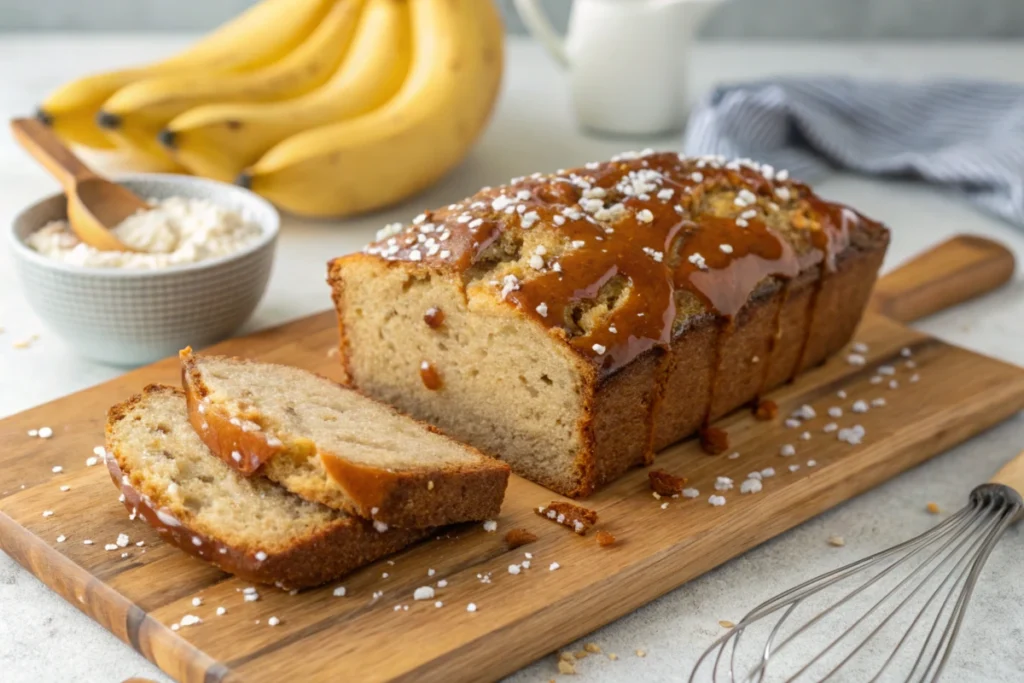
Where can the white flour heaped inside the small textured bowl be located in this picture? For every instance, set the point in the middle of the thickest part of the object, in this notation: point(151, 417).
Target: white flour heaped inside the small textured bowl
point(178, 231)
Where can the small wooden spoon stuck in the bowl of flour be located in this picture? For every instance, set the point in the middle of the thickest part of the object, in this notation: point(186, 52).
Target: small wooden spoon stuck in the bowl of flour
point(95, 204)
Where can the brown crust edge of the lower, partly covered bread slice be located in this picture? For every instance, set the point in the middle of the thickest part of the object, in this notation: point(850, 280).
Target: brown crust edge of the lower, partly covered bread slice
point(333, 551)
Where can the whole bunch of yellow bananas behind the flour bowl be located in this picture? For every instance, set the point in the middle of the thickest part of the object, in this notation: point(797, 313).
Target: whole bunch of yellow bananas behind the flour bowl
point(327, 108)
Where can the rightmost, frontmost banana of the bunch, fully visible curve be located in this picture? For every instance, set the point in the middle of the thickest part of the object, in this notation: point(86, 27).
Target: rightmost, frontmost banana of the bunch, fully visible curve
point(402, 148)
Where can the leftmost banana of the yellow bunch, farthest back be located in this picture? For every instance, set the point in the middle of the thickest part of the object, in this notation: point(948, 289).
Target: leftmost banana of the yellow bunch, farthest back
point(258, 37)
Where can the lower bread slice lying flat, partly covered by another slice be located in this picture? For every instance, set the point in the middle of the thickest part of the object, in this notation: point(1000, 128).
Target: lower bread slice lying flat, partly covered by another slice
point(248, 527)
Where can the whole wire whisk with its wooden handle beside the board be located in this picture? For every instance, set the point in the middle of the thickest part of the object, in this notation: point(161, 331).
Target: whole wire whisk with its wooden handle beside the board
point(894, 616)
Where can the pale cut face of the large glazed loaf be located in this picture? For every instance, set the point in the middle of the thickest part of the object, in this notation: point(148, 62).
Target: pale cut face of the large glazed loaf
point(505, 386)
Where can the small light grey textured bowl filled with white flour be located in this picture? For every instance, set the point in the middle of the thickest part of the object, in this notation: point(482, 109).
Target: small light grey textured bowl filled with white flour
point(202, 263)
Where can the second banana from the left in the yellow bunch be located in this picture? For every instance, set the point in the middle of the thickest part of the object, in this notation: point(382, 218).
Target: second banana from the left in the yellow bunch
point(137, 114)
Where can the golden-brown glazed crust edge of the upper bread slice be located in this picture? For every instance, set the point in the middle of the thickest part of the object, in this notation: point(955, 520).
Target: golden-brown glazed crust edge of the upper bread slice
point(432, 497)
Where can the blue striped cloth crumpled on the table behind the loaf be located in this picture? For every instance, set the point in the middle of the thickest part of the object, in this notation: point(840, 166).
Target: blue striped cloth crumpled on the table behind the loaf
point(967, 137)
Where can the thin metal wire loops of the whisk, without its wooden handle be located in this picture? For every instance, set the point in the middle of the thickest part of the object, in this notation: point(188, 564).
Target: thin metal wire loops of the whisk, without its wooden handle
point(952, 554)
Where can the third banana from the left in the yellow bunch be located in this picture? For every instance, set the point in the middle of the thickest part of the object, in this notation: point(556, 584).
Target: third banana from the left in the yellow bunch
point(221, 141)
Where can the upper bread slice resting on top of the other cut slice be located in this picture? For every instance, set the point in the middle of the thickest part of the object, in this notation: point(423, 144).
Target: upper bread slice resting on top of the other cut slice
point(333, 446)
